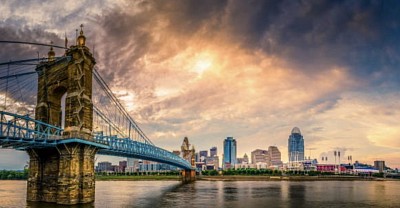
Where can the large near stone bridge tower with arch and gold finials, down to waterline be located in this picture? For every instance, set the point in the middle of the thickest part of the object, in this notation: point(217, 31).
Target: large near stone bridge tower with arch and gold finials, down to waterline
point(65, 174)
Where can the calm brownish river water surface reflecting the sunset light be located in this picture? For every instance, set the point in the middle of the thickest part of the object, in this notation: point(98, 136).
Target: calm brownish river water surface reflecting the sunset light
point(225, 194)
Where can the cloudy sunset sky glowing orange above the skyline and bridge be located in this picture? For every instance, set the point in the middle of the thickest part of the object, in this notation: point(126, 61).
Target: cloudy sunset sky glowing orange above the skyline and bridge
point(248, 69)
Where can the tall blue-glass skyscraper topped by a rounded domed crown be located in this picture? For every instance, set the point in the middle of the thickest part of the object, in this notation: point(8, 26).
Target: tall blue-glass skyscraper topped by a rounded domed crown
point(296, 146)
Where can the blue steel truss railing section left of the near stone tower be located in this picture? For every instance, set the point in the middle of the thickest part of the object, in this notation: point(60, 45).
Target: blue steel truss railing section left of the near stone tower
point(15, 126)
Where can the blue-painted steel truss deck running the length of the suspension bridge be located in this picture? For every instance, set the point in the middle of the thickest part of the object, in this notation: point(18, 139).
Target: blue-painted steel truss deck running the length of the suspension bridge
point(23, 132)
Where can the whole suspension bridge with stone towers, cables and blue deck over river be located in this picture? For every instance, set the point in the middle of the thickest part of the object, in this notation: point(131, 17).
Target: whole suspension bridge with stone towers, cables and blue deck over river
point(62, 112)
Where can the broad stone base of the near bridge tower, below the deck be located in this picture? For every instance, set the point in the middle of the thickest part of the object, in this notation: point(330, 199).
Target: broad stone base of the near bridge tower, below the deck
point(63, 175)
